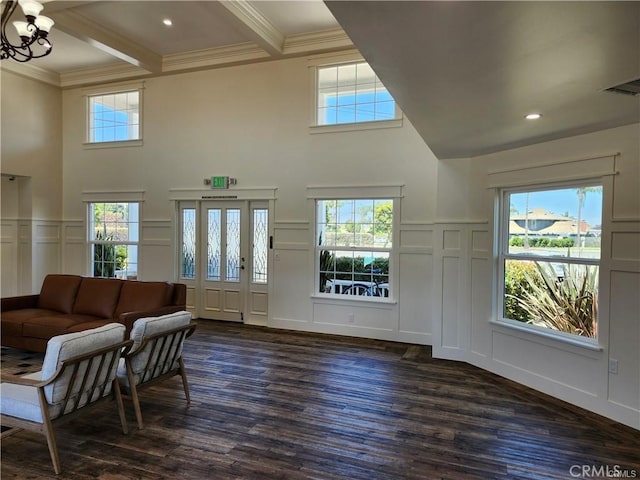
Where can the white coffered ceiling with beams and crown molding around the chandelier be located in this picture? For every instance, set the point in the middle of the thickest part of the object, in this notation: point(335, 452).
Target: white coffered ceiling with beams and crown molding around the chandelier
point(96, 40)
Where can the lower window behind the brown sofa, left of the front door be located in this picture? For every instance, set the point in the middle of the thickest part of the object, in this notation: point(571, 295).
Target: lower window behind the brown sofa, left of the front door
point(114, 233)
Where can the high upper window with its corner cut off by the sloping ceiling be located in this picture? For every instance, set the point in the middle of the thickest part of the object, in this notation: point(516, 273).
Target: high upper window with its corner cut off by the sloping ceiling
point(352, 93)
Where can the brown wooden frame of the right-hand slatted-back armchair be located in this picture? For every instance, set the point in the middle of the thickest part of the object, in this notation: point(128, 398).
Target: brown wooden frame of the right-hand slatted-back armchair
point(162, 342)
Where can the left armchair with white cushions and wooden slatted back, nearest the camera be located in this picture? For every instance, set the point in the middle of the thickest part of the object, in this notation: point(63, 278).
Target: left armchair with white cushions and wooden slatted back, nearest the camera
point(78, 371)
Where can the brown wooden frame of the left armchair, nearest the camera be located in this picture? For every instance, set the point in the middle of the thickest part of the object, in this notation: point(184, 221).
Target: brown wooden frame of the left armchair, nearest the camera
point(107, 358)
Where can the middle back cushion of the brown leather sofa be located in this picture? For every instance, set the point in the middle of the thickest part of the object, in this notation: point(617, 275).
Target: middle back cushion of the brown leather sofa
point(98, 297)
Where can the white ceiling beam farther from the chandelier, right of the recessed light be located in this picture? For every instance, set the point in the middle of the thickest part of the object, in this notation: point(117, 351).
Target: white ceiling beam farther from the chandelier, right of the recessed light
point(256, 25)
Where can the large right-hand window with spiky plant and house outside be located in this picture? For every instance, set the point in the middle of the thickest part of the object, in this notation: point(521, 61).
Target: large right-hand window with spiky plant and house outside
point(549, 257)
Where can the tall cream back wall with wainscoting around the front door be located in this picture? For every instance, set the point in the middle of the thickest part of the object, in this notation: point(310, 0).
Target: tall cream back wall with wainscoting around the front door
point(252, 123)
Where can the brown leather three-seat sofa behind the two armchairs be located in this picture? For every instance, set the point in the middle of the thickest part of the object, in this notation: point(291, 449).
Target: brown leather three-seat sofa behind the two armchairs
point(71, 303)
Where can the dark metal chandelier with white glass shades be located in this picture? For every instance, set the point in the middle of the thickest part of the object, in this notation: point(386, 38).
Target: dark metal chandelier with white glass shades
point(33, 33)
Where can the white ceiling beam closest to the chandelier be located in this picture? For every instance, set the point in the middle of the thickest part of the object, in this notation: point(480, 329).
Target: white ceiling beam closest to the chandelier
point(82, 28)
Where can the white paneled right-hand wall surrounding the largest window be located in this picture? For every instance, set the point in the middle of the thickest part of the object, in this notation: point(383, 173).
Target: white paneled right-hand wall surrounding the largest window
point(465, 268)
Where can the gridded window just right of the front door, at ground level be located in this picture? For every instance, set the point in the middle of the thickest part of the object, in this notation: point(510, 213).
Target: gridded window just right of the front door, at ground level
point(354, 246)
